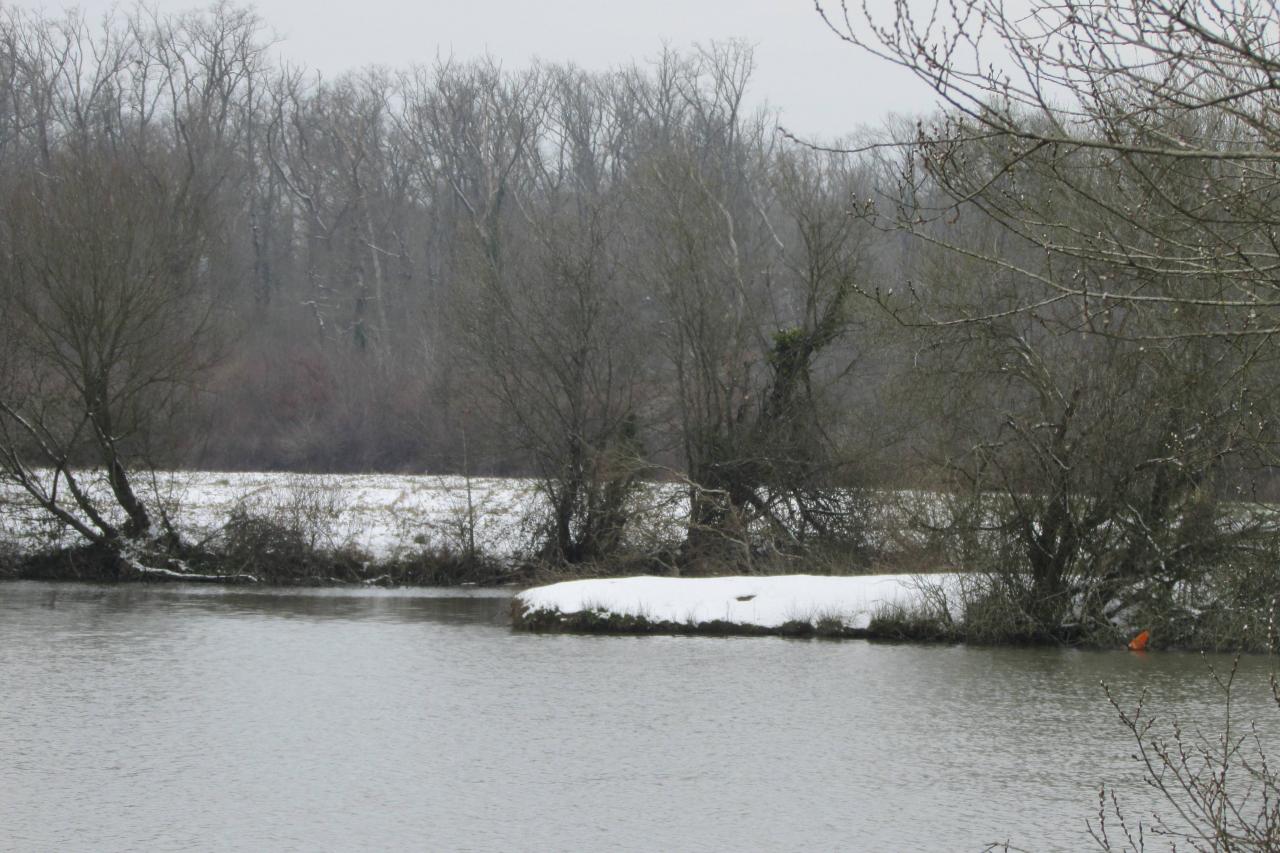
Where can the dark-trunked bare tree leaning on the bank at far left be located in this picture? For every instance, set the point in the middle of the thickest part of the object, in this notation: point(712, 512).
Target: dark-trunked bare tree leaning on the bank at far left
point(111, 240)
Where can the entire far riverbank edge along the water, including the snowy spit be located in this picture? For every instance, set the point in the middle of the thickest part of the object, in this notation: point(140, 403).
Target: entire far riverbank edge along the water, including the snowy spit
point(949, 608)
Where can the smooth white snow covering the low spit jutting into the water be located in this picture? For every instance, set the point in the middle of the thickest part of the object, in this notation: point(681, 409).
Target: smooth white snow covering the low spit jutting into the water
point(760, 601)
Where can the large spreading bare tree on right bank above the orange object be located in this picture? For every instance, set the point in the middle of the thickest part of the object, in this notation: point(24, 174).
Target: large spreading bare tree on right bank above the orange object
point(1099, 188)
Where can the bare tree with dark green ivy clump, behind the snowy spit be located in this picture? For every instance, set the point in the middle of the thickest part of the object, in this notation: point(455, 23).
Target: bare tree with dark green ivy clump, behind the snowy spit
point(755, 268)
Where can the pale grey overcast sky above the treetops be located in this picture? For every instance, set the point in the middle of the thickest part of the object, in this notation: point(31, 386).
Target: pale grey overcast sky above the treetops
point(822, 86)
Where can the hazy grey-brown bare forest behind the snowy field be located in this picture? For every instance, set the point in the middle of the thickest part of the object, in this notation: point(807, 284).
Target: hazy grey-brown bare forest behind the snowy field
point(459, 266)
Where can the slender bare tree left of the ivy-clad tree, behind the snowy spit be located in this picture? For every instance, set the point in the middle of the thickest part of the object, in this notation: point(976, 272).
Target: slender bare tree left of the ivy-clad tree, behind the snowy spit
point(550, 326)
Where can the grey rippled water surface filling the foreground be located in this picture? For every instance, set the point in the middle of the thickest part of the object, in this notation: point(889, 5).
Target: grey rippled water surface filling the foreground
point(164, 718)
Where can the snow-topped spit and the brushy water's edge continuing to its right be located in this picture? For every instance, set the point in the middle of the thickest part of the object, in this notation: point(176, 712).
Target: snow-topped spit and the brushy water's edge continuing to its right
point(931, 608)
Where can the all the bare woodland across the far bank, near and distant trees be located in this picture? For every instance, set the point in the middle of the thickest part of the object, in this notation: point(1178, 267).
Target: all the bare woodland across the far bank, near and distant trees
point(1052, 305)
